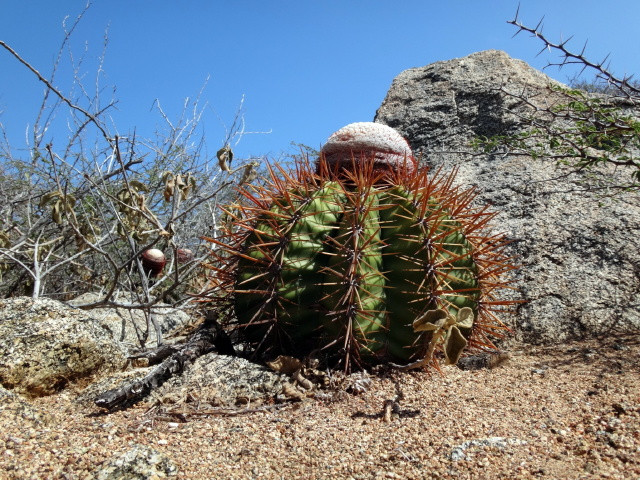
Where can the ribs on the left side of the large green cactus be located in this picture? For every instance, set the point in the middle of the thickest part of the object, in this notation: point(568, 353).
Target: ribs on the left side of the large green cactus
point(278, 273)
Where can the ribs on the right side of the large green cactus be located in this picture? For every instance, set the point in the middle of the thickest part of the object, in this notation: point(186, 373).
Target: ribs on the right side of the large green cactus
point(429, 264)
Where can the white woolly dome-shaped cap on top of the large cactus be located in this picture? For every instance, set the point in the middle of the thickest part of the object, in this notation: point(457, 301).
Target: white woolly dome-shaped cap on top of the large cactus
point(368, 139)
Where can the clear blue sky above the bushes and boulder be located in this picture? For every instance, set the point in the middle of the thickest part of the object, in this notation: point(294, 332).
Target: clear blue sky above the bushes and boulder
point(305, 68)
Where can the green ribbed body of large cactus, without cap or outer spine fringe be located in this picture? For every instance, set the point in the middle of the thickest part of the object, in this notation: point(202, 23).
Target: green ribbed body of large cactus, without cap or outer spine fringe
point(351, 269)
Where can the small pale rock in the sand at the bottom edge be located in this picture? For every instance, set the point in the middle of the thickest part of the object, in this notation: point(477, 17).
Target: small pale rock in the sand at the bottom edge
point(141, 462)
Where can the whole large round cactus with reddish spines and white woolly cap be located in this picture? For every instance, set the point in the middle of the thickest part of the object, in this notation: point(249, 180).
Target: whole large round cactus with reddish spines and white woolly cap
point(361, 258)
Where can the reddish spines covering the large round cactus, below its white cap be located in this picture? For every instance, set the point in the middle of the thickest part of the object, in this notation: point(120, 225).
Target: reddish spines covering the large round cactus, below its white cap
point(350, 318)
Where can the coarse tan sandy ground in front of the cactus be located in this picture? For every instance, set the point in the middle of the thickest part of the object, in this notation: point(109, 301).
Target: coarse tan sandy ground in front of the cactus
point(570, 412)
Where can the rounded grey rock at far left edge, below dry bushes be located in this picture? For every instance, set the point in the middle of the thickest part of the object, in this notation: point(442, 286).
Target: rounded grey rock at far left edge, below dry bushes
point(44, 345)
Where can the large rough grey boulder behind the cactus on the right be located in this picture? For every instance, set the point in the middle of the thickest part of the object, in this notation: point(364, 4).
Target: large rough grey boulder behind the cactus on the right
point(579, 251)
